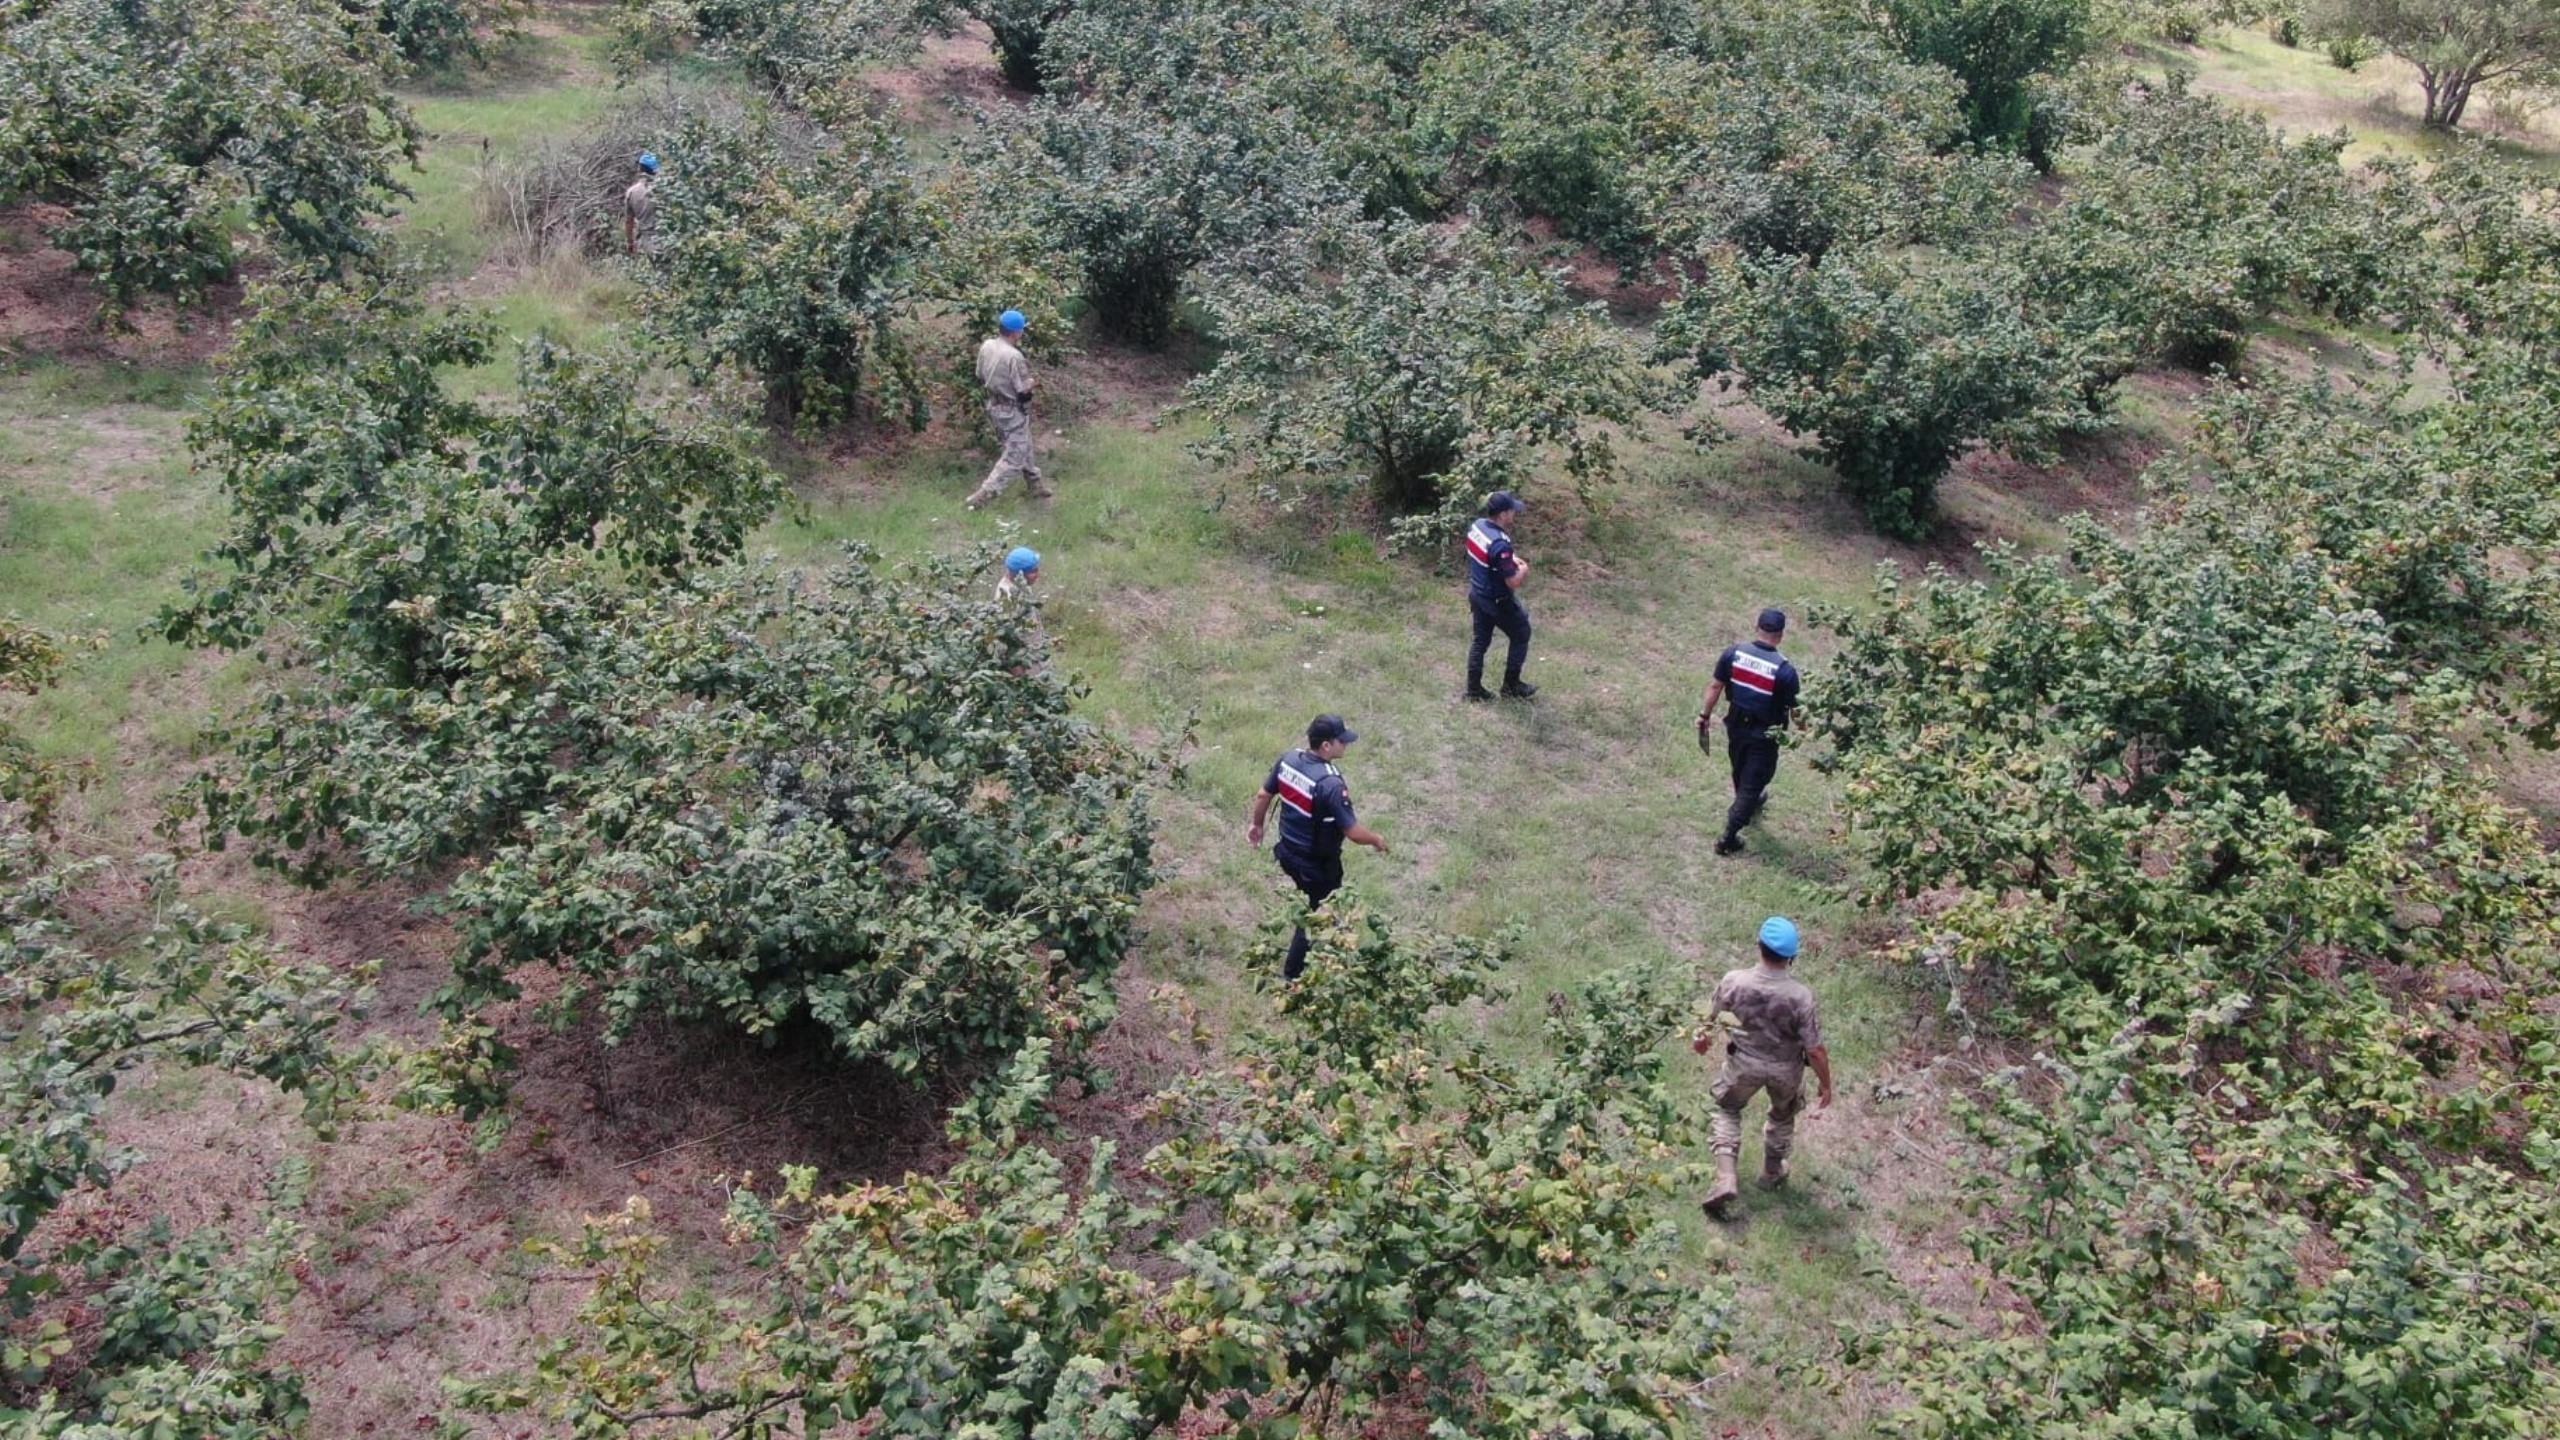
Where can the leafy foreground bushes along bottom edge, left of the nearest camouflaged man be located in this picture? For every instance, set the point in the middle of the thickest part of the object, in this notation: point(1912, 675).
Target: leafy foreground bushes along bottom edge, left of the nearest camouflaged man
point(1322, 1236)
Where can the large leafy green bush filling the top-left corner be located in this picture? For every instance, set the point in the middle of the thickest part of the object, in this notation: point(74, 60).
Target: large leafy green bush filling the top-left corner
point(163, 124)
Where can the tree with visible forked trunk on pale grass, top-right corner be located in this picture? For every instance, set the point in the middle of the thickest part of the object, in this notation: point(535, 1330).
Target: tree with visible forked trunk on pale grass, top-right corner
point(2456, 45)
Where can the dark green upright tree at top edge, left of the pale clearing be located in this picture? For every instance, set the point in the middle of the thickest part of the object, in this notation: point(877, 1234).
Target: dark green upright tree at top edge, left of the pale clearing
point(1998, 50)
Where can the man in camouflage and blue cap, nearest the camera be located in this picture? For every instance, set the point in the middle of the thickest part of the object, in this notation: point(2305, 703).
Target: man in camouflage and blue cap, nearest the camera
point(1773, 1031)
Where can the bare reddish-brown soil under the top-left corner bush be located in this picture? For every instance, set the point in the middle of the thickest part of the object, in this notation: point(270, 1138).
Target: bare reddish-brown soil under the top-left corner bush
point(47, 309)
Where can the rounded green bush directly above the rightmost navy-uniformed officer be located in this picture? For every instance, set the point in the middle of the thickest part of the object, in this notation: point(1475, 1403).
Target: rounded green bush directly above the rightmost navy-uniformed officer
point(1893, 363)
